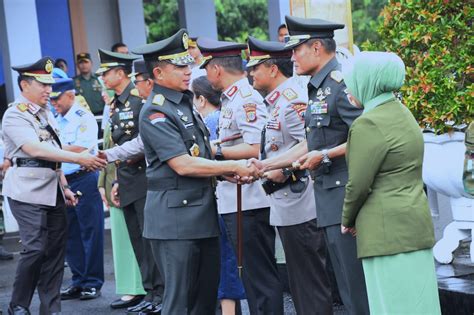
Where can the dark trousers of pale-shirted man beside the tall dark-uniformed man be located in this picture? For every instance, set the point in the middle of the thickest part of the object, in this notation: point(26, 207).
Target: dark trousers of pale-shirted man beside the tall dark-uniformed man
point(305, 253)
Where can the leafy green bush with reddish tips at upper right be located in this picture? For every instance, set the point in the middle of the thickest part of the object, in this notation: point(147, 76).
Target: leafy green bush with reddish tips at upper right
point(435, 40)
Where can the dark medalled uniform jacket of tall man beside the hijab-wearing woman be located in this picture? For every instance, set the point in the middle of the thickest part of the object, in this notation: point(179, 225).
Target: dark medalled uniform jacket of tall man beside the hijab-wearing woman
point(328, 118)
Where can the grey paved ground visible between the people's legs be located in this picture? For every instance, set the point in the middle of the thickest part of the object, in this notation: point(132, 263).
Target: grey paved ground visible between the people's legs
point(98, 306)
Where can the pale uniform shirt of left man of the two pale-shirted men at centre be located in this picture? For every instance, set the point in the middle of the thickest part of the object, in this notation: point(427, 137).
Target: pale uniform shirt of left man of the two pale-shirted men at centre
point(244, 113)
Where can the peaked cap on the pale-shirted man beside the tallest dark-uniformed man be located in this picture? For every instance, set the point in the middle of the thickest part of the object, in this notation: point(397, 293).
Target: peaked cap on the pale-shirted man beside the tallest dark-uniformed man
point(261, 51)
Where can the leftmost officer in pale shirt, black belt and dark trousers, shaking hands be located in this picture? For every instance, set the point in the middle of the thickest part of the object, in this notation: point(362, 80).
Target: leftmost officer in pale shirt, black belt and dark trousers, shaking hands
point(37, 189)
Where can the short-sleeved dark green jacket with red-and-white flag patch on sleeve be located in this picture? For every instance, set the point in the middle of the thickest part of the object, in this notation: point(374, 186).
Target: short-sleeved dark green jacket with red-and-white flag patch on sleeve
point(177, 207)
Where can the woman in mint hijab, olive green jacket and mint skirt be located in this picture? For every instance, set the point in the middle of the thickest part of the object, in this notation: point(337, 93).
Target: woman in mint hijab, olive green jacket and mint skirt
point(385, 205)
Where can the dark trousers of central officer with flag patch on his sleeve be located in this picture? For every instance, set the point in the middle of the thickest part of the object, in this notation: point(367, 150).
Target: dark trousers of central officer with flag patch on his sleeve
point(191, 272)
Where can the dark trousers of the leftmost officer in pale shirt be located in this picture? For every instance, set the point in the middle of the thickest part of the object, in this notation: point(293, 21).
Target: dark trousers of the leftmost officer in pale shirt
point(41, 265)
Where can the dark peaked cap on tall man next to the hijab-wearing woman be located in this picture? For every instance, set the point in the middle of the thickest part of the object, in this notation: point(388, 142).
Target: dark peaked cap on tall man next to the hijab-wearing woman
point(301, 30)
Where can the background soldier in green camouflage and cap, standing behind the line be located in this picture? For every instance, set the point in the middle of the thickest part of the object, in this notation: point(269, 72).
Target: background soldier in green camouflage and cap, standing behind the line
point(88, 85)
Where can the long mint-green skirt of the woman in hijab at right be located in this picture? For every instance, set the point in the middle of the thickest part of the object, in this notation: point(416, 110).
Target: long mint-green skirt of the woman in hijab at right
point(402, 284)
